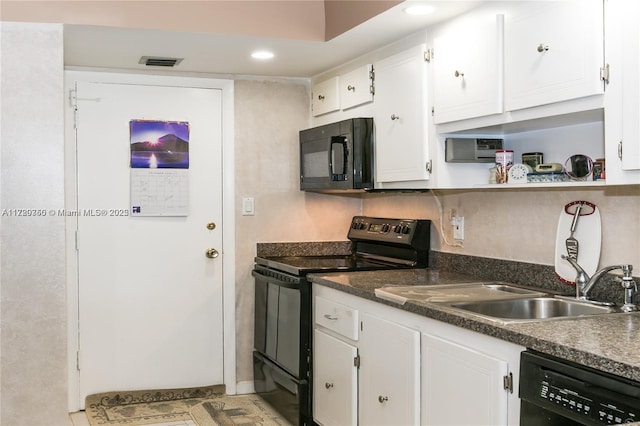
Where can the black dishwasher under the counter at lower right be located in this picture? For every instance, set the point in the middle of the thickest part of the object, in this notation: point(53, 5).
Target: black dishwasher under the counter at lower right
point(559, 392)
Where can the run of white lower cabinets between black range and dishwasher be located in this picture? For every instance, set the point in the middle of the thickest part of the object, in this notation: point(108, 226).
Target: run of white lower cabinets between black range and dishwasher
point(412, 370)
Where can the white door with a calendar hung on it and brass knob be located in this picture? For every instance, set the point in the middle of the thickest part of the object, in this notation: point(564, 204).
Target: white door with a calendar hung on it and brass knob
point(150, 300)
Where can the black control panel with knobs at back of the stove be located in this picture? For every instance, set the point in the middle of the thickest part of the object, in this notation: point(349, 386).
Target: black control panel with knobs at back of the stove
point(408, 232)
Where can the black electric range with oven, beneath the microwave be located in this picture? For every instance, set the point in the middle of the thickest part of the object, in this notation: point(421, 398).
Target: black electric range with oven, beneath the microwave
point(283, 326)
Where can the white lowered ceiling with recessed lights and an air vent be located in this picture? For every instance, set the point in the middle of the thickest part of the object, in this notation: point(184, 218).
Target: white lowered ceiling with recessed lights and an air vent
point(121, 48)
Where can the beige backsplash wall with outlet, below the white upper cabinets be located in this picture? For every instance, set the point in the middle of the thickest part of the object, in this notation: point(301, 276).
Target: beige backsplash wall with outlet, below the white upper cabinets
point(521, 225)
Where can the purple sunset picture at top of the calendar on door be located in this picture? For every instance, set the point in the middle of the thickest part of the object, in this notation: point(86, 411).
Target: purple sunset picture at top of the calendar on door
point(159, 144)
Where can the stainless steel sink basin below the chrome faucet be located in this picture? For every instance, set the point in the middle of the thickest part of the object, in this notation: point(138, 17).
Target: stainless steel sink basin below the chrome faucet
point(532, 309)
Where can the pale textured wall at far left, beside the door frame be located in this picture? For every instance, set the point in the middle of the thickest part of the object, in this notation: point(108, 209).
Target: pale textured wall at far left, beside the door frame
point(33, 340)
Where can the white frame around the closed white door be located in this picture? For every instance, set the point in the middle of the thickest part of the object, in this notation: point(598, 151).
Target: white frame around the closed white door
point(228, 217)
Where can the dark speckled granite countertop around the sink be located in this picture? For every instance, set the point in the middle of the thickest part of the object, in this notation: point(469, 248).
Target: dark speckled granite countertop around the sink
point(609, 343)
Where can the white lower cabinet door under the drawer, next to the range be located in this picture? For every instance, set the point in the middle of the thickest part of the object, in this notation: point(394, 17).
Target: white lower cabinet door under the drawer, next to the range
point(335, 378)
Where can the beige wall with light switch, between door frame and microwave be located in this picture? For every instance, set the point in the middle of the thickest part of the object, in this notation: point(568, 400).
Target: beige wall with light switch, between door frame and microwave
point(269, 115)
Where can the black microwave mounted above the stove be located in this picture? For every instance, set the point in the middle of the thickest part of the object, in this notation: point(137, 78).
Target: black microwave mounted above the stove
point(337, 157)
